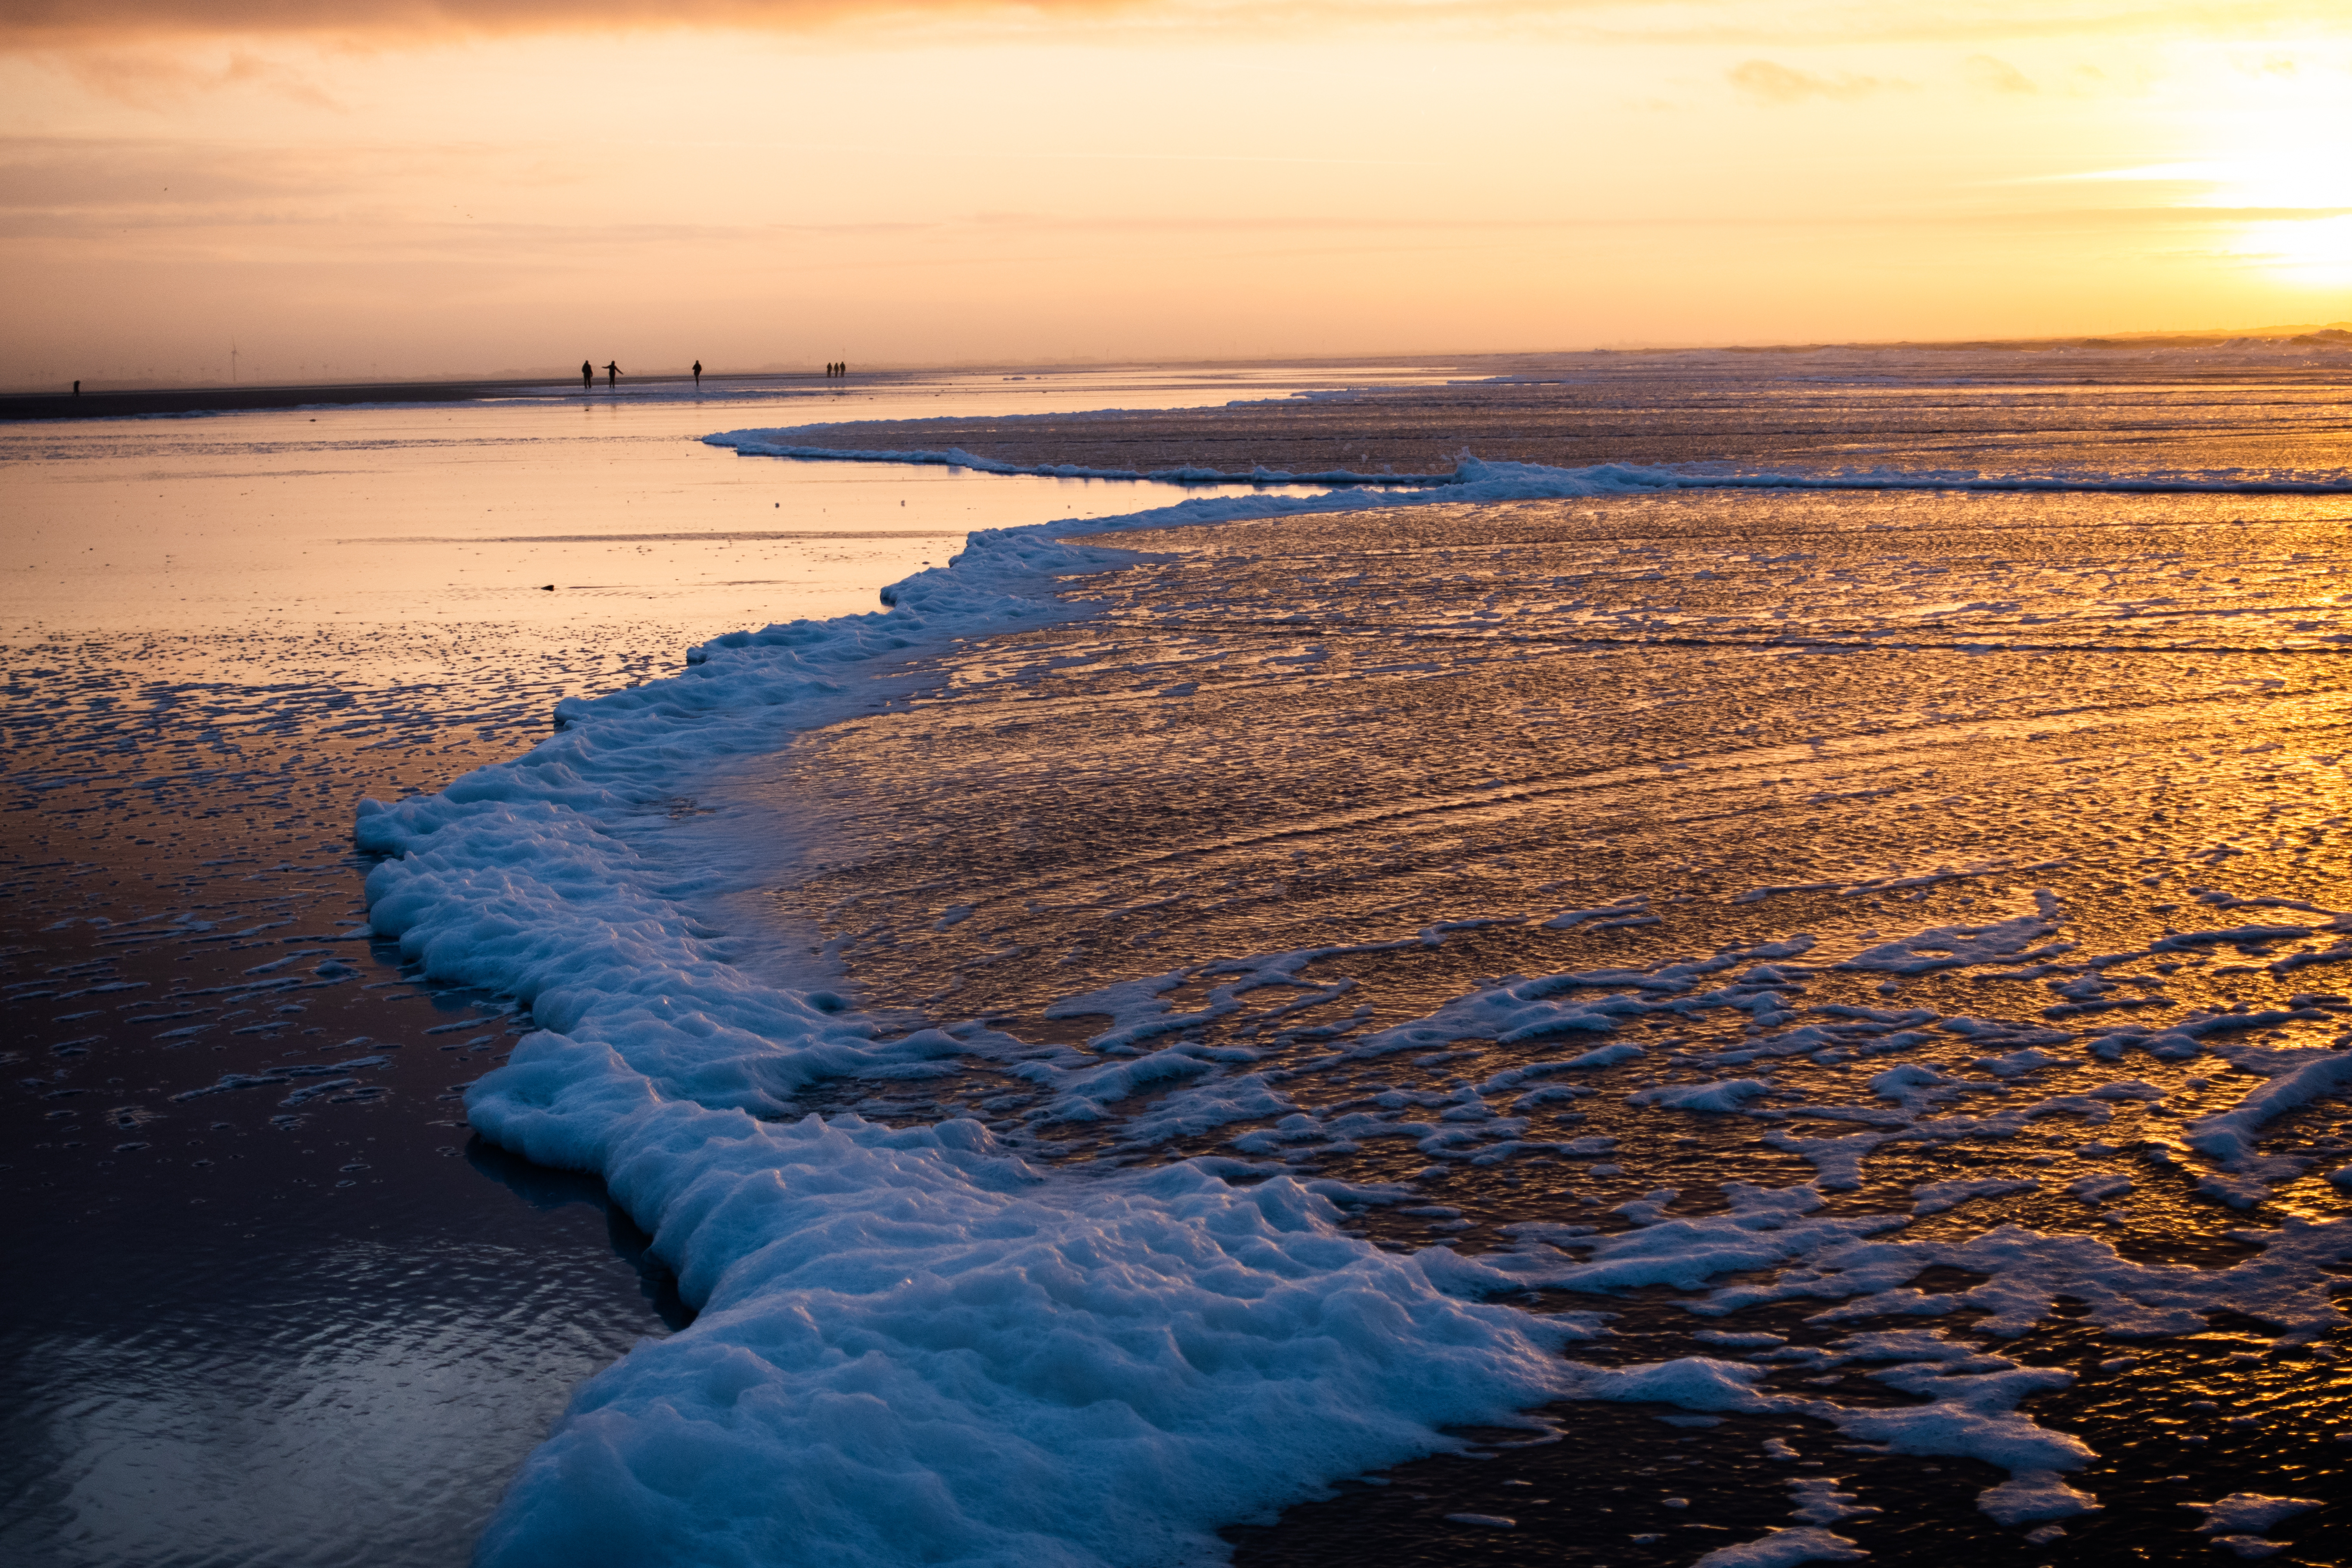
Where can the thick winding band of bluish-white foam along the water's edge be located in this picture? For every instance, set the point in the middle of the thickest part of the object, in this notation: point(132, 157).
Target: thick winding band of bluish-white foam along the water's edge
point(911, 1346)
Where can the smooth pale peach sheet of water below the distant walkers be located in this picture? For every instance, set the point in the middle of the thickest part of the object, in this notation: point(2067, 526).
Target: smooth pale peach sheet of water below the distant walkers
point(512, 514)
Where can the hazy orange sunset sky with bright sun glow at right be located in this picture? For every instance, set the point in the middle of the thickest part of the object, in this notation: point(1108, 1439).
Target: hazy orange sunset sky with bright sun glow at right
point(359, 189)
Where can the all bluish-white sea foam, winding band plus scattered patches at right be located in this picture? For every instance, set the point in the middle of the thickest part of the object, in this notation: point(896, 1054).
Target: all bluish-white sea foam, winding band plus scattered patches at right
point(914, 1346)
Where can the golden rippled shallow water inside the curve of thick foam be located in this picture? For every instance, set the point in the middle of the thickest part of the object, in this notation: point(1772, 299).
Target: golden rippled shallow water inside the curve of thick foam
point(1786, 737)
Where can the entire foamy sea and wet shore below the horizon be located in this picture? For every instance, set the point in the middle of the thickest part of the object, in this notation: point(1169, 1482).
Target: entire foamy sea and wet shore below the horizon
point(1612, 958)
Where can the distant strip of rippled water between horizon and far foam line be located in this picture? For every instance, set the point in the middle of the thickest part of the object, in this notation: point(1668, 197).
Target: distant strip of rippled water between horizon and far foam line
point(1911, 410)
